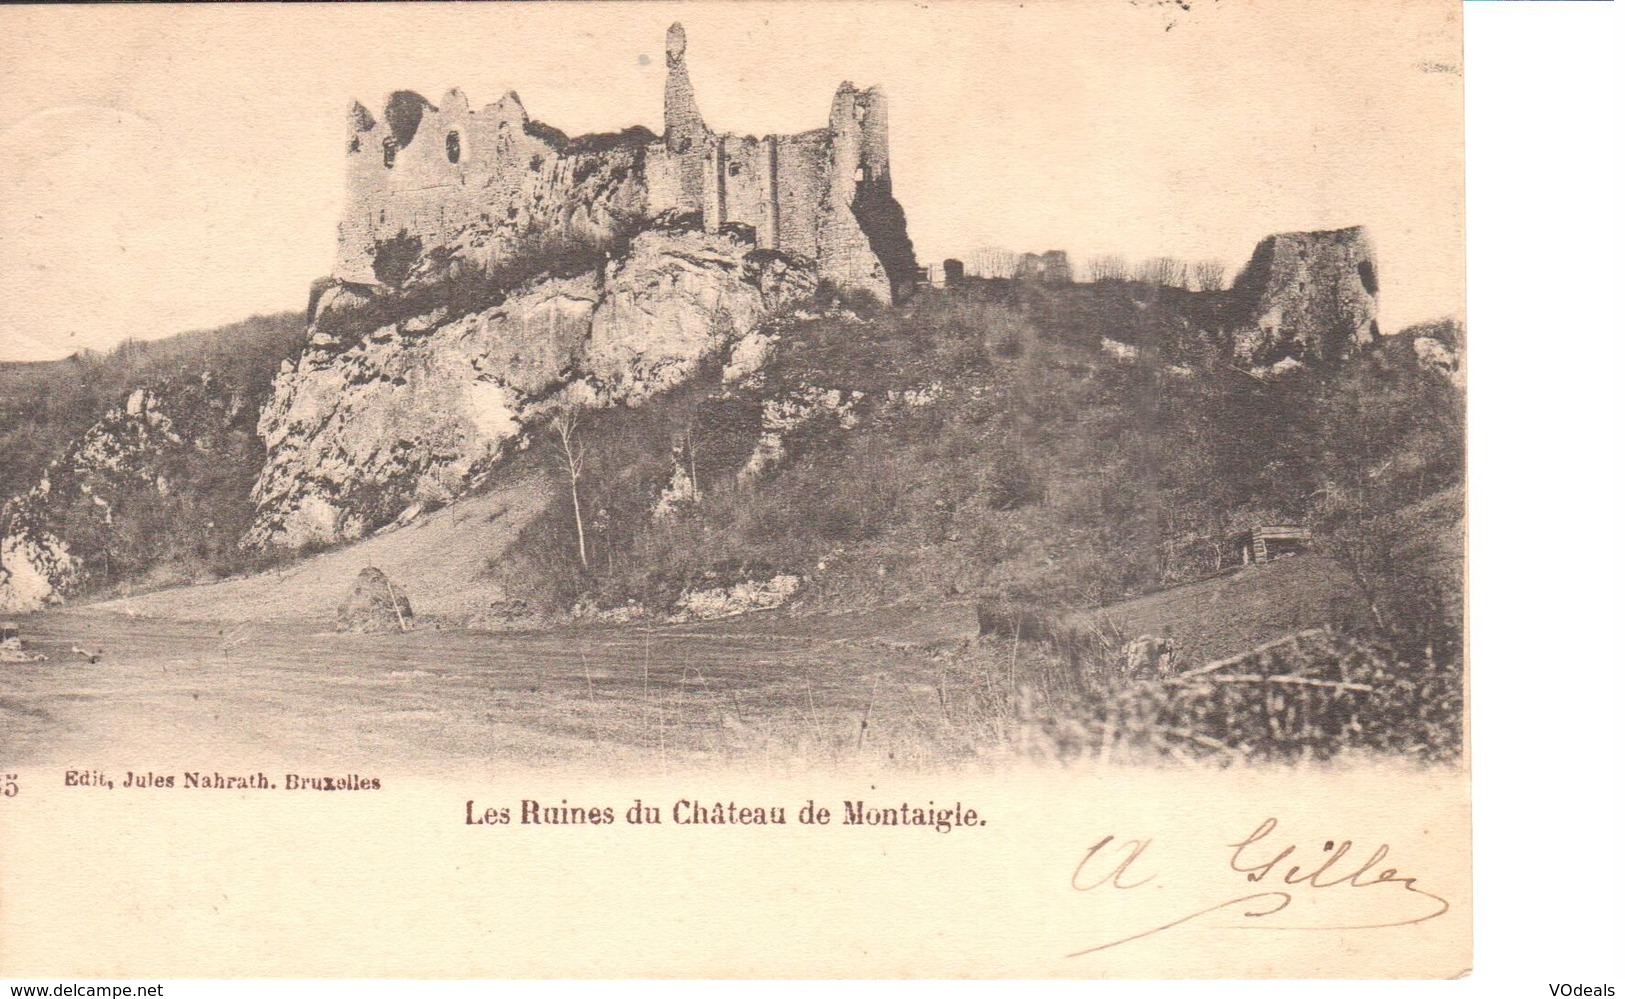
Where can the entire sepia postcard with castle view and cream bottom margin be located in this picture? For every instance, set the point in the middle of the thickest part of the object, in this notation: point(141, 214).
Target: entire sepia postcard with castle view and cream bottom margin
point(1007, 436)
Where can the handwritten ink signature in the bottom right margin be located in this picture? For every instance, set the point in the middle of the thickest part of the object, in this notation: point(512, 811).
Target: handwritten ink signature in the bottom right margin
point(1116, 865)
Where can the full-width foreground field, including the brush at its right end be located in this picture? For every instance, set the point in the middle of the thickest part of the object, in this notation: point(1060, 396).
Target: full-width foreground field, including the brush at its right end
point(896, 688)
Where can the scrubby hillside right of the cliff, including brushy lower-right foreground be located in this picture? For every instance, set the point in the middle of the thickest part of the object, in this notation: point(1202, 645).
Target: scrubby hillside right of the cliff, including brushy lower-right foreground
point(984, 446)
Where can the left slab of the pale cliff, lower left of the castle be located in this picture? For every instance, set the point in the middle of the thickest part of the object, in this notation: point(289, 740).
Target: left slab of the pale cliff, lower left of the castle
point(410, 415)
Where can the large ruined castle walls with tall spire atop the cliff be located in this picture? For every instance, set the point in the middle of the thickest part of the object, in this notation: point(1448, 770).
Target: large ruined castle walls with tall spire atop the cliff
point(459, 183)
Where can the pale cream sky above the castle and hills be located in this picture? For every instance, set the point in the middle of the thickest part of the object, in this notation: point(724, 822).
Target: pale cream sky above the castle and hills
point(165, 170)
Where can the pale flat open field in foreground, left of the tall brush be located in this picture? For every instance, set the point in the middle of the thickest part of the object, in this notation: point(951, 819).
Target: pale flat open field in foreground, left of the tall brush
point(290, 698)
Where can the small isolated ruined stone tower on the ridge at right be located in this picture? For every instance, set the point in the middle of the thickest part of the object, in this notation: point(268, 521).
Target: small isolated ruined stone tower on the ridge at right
point(1309, 296)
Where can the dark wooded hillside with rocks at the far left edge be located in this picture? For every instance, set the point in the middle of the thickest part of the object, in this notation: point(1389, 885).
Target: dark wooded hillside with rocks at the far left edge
point(142, 461)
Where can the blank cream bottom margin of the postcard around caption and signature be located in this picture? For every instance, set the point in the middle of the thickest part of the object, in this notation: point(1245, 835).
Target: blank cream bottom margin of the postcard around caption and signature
point(394, 884)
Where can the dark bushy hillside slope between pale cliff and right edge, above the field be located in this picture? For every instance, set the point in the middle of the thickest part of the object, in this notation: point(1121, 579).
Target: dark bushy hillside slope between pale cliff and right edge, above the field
point(982, 443)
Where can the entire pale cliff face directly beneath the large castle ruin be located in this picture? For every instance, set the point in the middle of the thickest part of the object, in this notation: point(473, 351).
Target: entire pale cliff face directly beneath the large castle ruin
point(371, 430)
